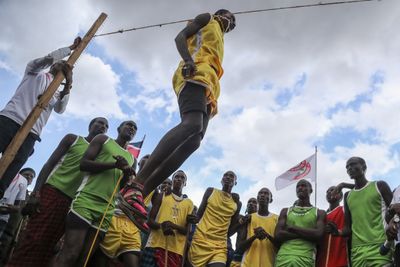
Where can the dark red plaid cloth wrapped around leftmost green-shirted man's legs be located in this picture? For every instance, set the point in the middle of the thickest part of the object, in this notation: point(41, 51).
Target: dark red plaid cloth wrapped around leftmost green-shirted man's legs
point(43, 231)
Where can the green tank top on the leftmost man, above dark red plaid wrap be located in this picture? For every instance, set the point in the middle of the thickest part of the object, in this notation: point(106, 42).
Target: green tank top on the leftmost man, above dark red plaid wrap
point(66, 175)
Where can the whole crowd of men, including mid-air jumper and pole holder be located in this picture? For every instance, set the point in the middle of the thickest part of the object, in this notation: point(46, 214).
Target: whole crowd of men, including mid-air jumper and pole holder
point(89, 196)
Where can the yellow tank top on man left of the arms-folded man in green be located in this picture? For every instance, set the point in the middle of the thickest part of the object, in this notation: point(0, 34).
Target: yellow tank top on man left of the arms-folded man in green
point(262, 252)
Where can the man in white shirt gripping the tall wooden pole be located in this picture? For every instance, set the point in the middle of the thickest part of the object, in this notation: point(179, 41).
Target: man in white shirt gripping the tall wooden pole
point(34, 83)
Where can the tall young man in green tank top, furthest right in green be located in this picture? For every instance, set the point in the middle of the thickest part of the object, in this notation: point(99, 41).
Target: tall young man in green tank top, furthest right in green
point(365, 207)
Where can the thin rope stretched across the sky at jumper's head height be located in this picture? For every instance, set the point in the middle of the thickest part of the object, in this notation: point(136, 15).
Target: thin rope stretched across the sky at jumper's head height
point(319, 4)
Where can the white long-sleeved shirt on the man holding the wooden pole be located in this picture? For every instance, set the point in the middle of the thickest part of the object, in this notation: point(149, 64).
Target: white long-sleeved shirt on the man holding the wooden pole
point(33, 85)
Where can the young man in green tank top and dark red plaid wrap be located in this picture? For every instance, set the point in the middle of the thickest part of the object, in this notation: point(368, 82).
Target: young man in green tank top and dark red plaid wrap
point(55, 188)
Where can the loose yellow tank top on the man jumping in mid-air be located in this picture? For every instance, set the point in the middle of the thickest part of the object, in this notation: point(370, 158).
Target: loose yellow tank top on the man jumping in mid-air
point(207, 50)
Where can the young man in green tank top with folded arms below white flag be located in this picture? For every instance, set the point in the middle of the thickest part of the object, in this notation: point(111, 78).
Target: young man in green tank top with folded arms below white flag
point(300, 228)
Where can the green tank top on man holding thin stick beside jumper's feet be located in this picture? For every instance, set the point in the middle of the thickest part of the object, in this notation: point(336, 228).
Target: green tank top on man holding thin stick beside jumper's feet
point(101, 185)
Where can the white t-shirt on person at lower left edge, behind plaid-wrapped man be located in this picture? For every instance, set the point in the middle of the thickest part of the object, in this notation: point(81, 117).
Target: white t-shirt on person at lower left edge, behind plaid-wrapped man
point(15, 191)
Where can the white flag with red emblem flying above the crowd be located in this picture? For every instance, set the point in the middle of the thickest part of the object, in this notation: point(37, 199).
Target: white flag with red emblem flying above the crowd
point(305, 169)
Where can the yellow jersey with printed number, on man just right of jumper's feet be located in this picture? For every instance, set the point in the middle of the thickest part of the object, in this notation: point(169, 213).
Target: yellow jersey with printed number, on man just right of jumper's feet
point(174, 209)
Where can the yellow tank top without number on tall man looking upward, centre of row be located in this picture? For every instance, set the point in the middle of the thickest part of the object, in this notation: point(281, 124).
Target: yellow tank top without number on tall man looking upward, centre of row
point(213, 226)
